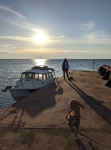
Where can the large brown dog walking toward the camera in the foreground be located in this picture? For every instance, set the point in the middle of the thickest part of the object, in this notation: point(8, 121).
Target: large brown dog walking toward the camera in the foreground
point(73, 117)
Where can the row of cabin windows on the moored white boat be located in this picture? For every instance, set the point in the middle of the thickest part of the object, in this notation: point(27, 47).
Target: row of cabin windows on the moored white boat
point(37, 76)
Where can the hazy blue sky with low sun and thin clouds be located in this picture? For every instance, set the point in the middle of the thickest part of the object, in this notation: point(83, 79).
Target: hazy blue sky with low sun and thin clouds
point(55, 29)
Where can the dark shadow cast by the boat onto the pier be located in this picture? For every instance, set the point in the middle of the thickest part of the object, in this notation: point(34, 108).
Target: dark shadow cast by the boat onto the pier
point(33, 104)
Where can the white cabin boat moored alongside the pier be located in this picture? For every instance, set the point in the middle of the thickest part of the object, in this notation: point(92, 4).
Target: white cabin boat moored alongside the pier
point(30, 81)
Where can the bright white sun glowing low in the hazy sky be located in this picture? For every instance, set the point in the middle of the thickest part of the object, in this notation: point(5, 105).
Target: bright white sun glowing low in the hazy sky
point(41, 38)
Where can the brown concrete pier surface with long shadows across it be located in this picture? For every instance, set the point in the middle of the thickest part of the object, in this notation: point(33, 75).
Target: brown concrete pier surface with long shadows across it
point(38, 121)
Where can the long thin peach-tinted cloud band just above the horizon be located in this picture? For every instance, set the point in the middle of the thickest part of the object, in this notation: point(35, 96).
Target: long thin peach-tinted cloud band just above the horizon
point(40, 51)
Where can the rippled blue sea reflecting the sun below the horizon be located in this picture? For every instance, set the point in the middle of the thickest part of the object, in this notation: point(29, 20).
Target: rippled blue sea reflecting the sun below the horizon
point(14, 68)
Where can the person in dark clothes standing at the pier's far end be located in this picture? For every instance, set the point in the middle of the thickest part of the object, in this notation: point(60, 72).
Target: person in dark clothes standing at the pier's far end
point(65, 68)
